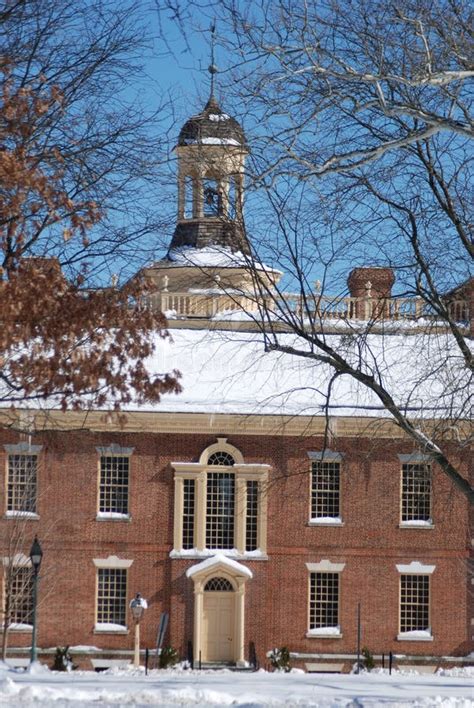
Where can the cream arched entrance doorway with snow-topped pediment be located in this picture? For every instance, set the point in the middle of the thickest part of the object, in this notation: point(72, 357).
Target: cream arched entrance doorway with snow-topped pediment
point(219, 600)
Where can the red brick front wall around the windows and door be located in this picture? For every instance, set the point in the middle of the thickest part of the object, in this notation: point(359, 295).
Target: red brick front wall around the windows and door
point(370, 543)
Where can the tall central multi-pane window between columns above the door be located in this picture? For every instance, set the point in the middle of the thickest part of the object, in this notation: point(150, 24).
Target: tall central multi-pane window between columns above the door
point(220, 510)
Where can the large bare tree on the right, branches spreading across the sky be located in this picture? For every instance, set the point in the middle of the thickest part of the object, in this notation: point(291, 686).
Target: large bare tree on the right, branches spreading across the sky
point(359, 117)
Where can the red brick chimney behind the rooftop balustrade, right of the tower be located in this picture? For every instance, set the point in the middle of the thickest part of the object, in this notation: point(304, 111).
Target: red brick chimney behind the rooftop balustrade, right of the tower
point(369, 285)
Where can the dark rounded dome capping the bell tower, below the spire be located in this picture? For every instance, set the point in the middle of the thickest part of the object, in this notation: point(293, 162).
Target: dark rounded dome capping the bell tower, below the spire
point(212, 127)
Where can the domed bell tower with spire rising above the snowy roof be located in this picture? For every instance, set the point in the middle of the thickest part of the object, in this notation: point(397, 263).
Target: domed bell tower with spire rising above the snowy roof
point(209, 266)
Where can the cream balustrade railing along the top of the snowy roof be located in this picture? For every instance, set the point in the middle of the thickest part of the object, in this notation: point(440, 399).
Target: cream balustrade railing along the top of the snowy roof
point(219, 305)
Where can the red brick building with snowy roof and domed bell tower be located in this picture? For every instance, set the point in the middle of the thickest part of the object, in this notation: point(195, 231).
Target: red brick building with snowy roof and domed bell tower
point(240, 508)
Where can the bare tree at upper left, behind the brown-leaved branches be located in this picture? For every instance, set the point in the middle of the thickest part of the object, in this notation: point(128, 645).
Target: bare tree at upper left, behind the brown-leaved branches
point(105, 141)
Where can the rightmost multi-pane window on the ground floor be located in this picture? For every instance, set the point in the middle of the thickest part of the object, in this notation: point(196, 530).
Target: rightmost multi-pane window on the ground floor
point(414, 603)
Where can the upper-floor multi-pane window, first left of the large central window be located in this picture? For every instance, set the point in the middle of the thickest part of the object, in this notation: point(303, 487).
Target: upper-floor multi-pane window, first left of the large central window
point(114, 482)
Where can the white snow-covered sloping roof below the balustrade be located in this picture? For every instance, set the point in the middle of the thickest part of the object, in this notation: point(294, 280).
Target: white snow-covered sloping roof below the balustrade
point(230, 372)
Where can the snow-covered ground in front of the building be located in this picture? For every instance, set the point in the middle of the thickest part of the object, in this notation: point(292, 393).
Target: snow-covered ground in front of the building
point(446, 689)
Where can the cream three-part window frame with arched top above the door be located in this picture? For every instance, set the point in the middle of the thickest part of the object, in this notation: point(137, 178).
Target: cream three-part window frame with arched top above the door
point(243, 473)
